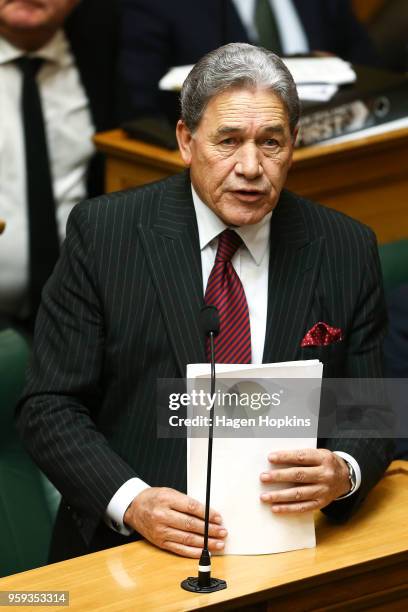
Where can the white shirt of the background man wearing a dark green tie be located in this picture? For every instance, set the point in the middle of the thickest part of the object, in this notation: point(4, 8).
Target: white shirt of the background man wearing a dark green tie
point(291, 31)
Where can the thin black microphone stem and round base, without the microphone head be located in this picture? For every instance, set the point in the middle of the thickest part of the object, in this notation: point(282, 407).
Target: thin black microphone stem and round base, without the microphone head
point(204, 583)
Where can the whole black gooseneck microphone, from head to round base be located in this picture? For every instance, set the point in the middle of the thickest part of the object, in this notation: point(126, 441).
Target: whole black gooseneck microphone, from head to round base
point(204, 583)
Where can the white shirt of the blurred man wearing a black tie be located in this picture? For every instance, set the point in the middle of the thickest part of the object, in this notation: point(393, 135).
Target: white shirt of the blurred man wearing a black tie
point(69, 131)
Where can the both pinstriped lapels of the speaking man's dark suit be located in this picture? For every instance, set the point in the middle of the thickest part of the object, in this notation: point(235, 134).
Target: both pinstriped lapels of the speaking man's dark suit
point(171, 244)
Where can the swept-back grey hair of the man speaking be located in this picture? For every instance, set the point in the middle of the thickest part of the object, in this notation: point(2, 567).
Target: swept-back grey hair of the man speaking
point(237, 65)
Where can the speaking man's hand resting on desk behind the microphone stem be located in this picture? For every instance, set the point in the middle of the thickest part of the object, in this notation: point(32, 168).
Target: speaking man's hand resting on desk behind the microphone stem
point(173, 521)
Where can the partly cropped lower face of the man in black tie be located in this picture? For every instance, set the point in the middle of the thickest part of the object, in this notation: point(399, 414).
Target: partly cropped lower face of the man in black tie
point(26, 15)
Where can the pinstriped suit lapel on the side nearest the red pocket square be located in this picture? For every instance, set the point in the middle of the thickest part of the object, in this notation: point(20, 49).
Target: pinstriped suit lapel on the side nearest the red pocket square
point(293, 270)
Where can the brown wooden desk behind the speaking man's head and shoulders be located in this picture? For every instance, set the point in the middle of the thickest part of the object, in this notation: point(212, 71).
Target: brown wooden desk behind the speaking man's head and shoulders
point(366, 178)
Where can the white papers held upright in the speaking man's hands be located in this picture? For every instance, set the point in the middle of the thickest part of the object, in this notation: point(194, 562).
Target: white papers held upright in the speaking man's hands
point(238, 463)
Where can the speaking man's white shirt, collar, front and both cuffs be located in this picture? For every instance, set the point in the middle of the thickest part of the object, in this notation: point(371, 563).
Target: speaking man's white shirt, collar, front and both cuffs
point(251, 263)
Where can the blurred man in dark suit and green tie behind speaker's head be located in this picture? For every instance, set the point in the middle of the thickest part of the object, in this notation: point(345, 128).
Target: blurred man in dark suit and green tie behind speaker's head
point(160, 34)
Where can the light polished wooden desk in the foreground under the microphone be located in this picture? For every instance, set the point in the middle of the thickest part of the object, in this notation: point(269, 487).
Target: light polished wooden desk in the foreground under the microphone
point(362, 565)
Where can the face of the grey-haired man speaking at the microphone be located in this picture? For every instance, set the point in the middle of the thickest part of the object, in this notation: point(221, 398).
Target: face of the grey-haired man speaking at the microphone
point(240, 154)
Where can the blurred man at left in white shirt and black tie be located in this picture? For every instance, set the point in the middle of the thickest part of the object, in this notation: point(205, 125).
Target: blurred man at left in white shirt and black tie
point(58, 85)
